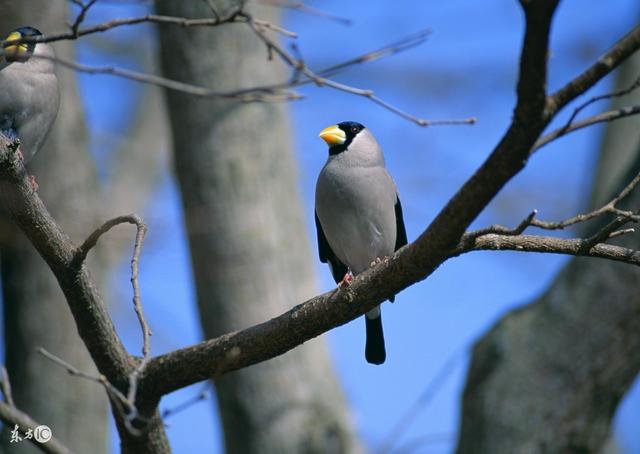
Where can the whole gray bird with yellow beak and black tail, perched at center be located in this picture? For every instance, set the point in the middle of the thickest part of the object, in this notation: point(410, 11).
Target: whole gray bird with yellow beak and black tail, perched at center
point(358, 215)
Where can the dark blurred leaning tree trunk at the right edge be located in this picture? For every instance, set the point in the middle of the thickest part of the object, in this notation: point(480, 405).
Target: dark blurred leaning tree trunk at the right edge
point(548, 377)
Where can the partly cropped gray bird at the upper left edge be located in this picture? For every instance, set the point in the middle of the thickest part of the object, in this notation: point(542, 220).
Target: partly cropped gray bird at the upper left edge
point(29, 95)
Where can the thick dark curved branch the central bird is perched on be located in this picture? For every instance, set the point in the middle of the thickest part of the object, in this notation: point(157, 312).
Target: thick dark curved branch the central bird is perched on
point(411, 264)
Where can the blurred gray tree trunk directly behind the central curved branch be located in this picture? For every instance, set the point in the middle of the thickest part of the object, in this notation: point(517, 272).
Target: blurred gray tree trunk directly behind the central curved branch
point(249, 249)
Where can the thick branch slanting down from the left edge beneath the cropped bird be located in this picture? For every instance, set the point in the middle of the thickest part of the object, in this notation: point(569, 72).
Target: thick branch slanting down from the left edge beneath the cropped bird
point(94, 324)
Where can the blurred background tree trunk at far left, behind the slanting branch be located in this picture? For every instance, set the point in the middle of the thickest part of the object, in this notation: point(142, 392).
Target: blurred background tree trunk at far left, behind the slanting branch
point(35, 311)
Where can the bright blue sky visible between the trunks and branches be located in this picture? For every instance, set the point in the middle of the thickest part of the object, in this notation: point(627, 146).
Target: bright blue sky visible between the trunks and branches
point(466, 68)
